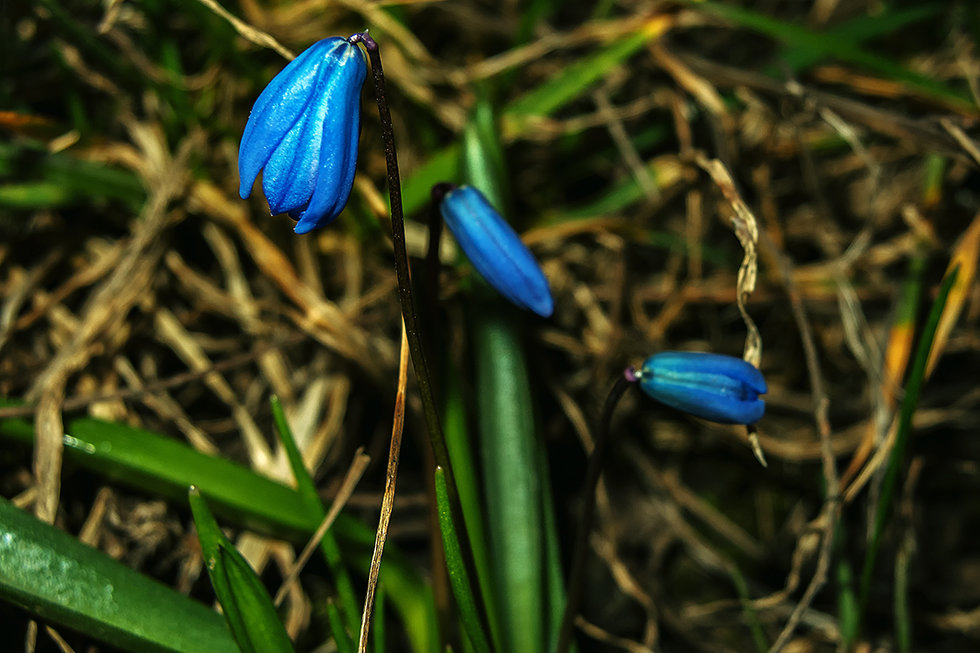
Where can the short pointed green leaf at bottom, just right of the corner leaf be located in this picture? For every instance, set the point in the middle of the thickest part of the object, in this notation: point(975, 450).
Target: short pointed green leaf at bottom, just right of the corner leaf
point(252, 617)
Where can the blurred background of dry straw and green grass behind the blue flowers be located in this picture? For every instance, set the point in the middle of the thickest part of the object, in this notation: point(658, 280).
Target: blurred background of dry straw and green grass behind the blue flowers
point(149, 314)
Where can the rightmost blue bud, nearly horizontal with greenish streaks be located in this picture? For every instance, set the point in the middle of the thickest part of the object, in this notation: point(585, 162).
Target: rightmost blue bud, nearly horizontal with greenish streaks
point(713, 386)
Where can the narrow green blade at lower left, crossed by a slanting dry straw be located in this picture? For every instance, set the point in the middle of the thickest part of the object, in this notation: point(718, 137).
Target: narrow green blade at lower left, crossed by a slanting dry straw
point(328, 545)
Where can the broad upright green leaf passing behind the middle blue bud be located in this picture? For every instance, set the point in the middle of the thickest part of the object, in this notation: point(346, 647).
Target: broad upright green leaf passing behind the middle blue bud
point(527, 582)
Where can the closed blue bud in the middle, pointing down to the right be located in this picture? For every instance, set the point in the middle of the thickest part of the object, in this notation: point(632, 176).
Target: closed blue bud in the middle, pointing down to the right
point(495, 250)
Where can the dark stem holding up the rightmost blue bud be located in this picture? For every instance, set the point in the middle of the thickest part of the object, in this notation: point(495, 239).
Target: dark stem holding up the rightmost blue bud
point(577, 575)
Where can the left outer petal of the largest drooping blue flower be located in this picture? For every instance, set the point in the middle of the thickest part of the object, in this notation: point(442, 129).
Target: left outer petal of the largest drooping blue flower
point(278, 109)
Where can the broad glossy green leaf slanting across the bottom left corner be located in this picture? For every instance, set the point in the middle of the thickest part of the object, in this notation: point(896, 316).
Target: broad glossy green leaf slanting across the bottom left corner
point(54, 576)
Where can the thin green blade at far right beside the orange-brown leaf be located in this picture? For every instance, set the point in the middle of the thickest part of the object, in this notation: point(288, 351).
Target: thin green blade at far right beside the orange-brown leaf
point(896, 460)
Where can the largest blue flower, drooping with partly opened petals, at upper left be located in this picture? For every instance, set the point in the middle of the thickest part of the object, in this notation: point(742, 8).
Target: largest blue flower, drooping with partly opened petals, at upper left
point(302, 133)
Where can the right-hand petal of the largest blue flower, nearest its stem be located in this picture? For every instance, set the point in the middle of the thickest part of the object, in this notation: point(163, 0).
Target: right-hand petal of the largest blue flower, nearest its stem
point(340, 120)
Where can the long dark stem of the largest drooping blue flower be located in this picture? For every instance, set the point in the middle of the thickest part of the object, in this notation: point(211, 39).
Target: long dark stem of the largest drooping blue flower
point(407, 299)
